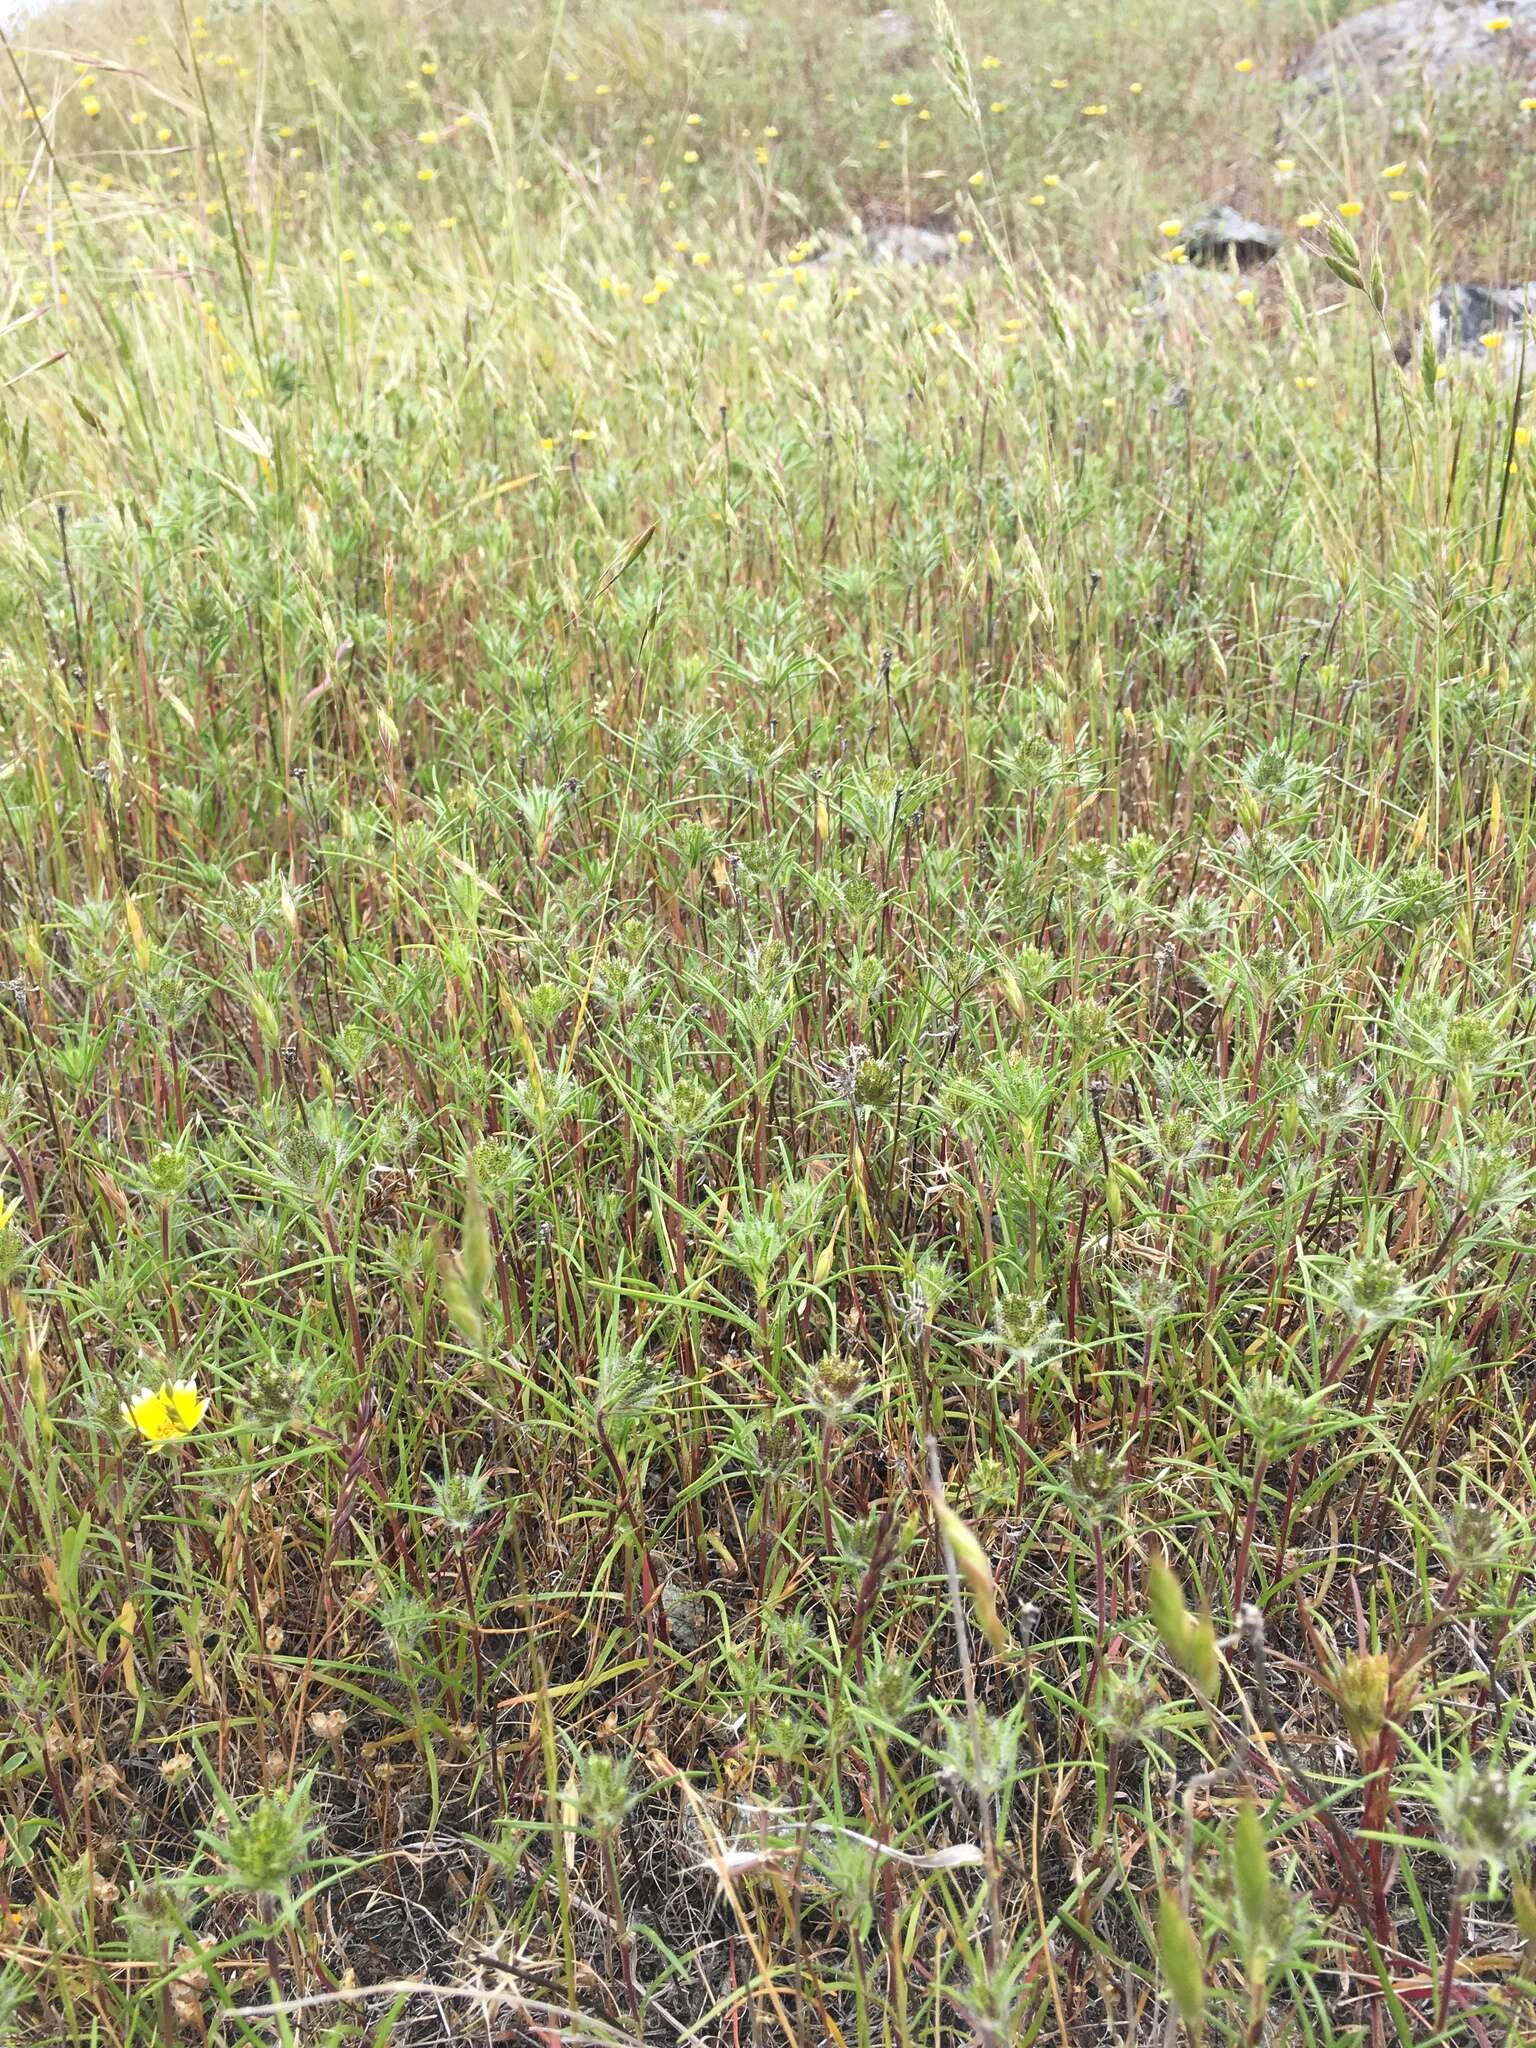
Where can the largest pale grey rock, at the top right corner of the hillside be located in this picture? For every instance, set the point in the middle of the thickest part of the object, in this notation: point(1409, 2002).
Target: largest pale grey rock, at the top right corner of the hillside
point(1400, 46)
